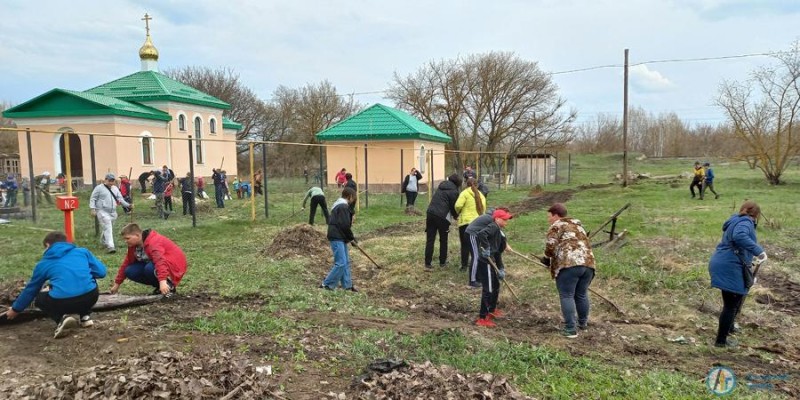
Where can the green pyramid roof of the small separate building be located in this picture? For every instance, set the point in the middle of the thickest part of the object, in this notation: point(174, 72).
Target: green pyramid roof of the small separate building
point(380, 122)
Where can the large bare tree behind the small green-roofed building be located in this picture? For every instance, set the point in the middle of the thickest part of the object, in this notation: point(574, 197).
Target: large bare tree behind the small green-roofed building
point(496, 101)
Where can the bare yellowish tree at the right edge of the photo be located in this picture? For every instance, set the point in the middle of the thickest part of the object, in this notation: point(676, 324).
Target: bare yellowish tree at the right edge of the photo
point(762, 111)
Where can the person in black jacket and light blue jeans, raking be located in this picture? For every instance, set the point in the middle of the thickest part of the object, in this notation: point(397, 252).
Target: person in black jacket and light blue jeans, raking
point(340, 233)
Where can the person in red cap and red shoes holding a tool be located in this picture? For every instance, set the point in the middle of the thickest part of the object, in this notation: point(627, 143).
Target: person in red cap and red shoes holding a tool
point(486, 236)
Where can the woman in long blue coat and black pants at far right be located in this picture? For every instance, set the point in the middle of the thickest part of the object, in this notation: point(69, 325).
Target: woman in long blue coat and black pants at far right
point(738, 245)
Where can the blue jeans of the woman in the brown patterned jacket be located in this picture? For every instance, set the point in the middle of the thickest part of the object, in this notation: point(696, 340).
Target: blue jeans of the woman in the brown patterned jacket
point(573, 287)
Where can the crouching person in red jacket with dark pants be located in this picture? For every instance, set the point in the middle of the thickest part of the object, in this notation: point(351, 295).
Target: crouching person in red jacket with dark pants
point(152, 260)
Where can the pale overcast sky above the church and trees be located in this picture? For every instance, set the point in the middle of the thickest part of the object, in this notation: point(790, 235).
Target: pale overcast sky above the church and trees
point(358, 45)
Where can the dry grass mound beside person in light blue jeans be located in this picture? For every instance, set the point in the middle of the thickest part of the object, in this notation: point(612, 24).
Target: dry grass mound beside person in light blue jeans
point(299, 241)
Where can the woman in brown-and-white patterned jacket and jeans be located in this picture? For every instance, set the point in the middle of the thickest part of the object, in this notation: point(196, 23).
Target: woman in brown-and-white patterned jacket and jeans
point(568, 253)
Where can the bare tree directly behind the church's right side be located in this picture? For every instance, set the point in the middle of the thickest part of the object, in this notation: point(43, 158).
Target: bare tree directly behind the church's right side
point(224, 84)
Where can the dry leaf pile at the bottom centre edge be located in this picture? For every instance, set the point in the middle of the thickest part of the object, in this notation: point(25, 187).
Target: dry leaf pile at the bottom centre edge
point(399, 380)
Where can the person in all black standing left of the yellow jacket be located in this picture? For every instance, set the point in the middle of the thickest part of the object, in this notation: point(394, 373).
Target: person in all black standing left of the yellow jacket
point(441, 211)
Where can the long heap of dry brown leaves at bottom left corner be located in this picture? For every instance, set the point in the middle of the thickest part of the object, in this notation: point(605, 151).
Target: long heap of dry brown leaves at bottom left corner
point(162, 375)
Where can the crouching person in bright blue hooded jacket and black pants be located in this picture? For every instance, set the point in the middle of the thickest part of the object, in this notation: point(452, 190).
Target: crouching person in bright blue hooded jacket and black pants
point(71, 271)
